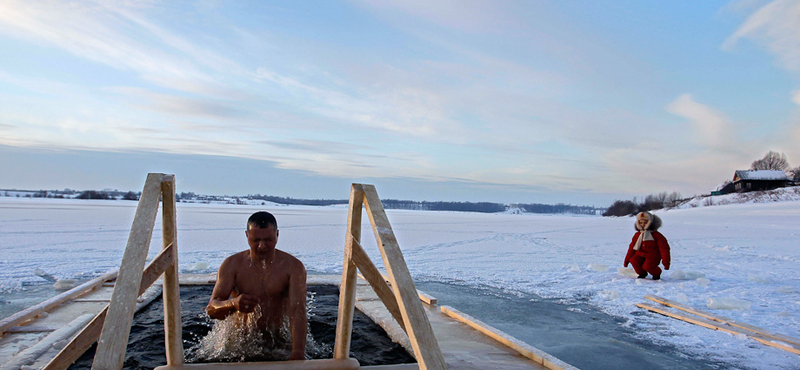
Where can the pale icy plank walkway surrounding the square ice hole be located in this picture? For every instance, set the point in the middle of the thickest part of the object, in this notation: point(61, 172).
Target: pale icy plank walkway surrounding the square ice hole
point(463, 347)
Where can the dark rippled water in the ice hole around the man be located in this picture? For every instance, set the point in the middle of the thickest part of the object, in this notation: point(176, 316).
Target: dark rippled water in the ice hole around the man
point(369, 344)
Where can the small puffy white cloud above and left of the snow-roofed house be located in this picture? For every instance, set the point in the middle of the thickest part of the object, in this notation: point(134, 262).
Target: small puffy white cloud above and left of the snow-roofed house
point(711, 128)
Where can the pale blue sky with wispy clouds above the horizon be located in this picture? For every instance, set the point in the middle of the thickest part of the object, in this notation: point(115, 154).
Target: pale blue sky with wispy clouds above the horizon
point(506, 101)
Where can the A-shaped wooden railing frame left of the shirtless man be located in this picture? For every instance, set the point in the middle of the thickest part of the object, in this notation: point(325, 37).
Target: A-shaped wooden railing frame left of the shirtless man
point(113, 324)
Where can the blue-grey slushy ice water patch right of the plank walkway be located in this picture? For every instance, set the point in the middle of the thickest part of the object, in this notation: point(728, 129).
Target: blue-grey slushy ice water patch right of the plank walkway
point(576, 333)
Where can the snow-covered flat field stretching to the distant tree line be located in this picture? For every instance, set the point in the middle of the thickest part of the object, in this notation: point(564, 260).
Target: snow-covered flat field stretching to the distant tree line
point(747, 254)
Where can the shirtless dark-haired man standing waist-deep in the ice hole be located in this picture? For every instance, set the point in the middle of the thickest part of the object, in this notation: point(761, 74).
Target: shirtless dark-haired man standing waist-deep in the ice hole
point(266, 277)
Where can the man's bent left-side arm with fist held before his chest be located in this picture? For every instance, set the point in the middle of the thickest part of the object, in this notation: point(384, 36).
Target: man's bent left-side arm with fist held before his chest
point(221, 304)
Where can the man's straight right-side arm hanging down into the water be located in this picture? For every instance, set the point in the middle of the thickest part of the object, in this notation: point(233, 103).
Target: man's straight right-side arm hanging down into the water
point(298, 322)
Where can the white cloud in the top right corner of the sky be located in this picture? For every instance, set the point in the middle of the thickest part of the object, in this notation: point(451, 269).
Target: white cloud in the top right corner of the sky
point(776, 26)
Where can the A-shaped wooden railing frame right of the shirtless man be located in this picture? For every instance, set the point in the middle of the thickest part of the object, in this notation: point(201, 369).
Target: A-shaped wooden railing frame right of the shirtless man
point(399, 296)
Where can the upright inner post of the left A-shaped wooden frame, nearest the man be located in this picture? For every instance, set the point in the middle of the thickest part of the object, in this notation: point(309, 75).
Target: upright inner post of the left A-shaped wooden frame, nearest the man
point(171, 289)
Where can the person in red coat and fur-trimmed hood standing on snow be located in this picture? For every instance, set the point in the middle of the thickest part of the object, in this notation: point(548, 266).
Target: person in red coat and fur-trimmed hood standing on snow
point(648, 247)
